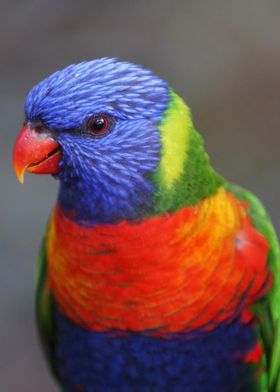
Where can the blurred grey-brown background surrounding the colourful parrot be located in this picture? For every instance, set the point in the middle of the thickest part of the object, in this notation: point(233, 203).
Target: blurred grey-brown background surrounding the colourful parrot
point(222, 57)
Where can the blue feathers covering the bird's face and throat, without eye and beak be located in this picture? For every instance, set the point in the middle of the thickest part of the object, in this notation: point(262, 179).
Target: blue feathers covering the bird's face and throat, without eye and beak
point(103, 178)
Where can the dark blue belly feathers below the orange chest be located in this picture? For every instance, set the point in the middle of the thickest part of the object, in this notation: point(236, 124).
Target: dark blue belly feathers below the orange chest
point(106, 362)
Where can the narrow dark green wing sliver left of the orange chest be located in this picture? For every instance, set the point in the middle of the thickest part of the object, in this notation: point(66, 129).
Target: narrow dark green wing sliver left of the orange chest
point(45, 308)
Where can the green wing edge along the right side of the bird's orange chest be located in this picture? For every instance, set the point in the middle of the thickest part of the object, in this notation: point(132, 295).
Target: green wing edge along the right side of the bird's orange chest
point(268, 310)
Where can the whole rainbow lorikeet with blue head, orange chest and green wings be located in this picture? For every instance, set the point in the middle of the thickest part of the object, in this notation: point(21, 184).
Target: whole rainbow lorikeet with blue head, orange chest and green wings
point(155, 274)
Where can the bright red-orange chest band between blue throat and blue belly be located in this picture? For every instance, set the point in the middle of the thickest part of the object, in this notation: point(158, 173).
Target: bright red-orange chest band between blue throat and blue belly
point(183, 271)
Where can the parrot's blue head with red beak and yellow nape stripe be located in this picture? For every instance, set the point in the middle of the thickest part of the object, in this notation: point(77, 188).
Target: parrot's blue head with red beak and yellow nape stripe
point(115, 135)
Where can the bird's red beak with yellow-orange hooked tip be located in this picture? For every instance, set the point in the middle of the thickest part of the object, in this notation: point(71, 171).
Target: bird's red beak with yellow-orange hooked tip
point(35, 152)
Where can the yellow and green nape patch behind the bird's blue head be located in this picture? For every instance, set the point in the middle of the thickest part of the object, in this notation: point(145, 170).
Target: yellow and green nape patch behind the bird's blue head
point(185, 175)
